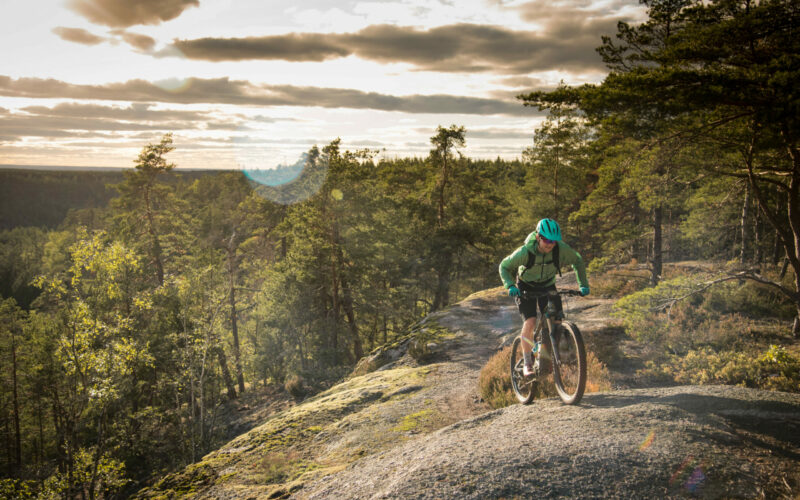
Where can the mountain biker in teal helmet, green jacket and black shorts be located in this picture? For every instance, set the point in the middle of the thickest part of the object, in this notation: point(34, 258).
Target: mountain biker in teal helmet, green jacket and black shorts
point(531, 269)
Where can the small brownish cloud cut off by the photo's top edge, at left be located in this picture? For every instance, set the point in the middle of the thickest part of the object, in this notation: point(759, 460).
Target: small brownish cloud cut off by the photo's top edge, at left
point(125, 13)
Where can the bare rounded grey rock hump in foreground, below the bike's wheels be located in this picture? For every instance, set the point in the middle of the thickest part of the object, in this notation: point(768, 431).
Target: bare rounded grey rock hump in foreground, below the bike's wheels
point(677, 442)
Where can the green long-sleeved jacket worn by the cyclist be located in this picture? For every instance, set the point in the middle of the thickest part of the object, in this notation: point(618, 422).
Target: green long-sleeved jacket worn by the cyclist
point(543, 271)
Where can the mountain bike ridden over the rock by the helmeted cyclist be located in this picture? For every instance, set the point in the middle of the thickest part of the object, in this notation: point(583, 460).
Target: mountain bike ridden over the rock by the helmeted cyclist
point(567, 353)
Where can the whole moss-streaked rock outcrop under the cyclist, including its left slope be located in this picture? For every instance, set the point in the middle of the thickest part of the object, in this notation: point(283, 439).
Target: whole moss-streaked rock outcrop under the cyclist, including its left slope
point(409, 424)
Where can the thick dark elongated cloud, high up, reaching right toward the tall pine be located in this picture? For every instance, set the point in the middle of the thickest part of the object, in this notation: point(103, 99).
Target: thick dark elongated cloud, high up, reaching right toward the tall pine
point(451, 48)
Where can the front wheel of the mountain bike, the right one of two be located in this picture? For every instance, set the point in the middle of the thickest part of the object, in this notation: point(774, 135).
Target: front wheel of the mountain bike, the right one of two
point(569, 374)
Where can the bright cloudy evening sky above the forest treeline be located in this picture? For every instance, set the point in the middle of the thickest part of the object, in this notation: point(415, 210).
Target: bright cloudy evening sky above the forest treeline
point(255, 83)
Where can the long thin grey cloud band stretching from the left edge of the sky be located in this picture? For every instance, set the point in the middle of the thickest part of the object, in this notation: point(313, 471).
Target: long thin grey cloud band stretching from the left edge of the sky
point(225, 91)
